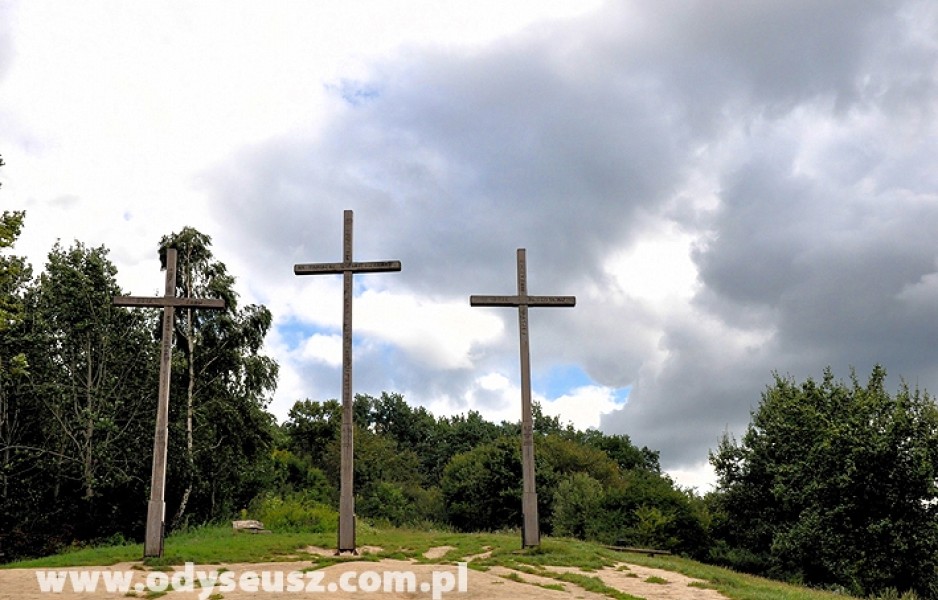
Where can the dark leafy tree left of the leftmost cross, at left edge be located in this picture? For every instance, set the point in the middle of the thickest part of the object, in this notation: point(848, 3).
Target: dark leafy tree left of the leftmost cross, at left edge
point(76, 420)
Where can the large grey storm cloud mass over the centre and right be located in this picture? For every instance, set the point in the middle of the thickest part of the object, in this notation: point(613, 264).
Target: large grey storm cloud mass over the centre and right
point(814, 120)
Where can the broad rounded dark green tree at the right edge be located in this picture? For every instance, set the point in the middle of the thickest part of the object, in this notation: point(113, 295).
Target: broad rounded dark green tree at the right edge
point(835, 484)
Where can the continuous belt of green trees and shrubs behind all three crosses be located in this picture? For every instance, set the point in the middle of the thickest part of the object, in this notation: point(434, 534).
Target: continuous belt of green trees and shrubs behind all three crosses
point(78, 377)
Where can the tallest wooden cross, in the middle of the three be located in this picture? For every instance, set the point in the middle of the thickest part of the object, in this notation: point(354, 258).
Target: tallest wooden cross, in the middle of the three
point(346, 541)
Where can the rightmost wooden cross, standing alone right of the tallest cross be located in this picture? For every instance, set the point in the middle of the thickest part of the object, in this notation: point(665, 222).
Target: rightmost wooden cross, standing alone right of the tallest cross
point(530, 533)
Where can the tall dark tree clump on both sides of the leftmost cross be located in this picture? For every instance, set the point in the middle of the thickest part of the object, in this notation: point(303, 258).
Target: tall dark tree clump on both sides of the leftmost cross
point(78, 379)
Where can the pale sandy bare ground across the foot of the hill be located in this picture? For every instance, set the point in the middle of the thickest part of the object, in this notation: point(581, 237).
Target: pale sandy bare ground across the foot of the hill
point(498, 583)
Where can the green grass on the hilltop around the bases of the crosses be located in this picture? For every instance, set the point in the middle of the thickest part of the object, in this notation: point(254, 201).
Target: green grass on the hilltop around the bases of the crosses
point(220, 544)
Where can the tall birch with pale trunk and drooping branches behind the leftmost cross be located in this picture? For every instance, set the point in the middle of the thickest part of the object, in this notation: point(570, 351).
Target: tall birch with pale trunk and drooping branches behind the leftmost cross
point(224, 383)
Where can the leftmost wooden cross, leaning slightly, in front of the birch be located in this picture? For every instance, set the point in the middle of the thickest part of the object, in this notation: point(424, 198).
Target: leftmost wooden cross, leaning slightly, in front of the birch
point(156, 509)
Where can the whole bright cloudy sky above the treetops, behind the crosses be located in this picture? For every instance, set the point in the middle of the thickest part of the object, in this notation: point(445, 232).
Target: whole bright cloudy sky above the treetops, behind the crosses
point(729, 189)
